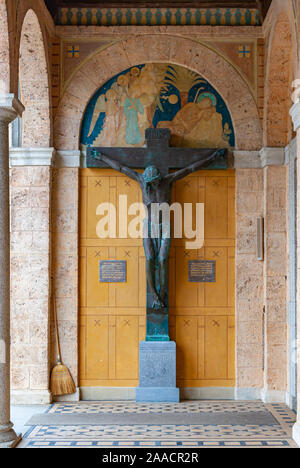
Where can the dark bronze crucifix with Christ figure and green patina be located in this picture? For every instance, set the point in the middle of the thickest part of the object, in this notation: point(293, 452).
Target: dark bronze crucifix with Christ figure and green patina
point(156, 182)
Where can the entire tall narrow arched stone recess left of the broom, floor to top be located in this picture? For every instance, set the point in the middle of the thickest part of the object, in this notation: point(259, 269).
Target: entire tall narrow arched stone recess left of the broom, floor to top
point(31, 141)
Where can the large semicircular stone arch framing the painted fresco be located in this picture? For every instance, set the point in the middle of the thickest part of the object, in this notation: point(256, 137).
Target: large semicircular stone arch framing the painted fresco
point(155, 48)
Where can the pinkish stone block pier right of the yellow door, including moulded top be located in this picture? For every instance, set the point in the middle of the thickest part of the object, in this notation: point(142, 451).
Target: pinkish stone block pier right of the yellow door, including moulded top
point(261, 285)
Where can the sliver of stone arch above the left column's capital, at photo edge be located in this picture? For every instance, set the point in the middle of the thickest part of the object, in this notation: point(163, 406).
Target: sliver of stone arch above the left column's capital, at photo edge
point(4, 50)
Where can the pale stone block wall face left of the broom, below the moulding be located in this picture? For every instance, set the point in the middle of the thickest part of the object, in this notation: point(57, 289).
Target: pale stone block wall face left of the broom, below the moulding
point(30, 270)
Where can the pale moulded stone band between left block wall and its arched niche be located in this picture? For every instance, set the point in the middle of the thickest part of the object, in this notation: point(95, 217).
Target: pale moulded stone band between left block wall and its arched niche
point(31, 156)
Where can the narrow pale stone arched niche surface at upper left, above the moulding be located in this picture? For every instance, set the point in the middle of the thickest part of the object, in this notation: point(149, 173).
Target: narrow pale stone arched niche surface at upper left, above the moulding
point(34, 84)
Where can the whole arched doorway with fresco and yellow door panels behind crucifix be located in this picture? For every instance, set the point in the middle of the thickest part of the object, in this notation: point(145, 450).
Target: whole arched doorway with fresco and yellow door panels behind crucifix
point(202, 316)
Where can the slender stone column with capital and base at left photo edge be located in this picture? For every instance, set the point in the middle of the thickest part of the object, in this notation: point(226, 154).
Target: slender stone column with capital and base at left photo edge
point(10, 108)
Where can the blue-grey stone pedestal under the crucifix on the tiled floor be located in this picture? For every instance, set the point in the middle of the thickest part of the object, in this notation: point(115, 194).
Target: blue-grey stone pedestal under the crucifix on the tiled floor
point(157, 372)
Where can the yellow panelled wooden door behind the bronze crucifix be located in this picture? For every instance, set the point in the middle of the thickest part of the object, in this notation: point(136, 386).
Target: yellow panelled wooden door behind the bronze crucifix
point(202, 315)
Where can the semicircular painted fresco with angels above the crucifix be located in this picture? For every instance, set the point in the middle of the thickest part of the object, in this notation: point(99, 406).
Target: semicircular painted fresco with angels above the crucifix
point(129, 106)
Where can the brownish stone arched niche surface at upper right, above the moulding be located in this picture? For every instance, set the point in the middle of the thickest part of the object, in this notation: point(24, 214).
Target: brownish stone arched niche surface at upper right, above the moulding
point(281, 58)
